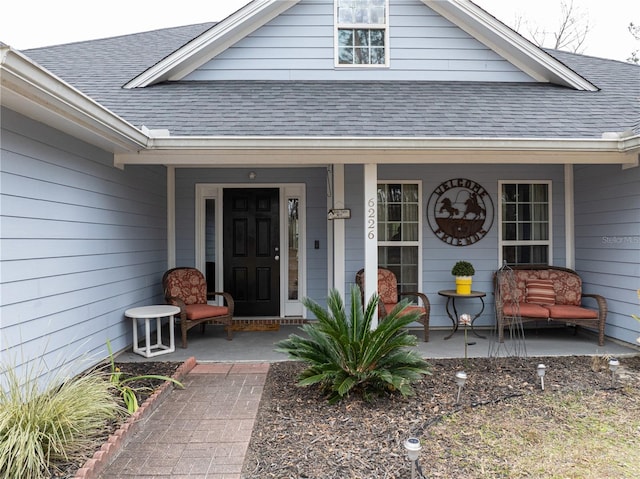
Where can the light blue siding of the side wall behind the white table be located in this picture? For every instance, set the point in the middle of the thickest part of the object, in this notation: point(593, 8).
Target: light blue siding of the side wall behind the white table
point(81, 241)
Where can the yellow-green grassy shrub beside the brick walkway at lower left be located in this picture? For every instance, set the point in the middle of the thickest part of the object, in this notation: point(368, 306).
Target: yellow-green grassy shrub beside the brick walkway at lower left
point(52, 423)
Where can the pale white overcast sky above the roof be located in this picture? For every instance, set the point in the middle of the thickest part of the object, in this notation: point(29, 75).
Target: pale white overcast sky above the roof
point(28, 24)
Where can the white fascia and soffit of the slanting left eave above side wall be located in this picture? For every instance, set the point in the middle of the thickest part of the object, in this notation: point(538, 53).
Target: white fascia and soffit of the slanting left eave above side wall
point(33, 91)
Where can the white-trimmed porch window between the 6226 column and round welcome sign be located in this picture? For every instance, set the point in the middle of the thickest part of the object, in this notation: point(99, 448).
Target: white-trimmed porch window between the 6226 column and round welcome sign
point(399, 232)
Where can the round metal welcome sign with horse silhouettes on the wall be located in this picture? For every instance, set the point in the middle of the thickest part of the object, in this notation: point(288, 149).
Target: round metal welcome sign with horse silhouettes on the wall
point(460, 212)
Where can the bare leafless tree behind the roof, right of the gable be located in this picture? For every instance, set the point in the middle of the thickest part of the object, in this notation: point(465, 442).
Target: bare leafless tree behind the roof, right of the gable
point(570, 34)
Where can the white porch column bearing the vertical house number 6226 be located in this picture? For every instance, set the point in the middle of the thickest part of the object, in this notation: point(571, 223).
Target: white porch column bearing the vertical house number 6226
point(371, 234)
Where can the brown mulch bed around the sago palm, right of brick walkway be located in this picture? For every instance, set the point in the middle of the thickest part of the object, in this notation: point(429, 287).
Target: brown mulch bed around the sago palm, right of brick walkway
point(299, 435)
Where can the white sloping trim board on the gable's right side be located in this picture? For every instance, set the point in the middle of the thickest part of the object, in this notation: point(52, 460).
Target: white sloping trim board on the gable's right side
point(509, 44)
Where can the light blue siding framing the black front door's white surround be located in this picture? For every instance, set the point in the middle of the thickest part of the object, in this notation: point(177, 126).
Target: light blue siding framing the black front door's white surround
point(315, 180)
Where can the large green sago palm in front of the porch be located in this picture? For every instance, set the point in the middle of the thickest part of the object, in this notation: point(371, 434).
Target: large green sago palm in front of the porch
point(344, 354)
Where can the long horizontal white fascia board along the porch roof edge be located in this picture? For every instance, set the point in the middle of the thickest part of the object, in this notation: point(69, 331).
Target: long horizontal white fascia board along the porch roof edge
point(277, 152)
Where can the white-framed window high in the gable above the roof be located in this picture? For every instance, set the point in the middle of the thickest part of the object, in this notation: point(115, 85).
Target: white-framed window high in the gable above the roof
point(361, 32)
